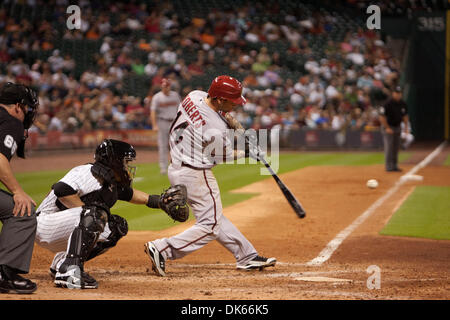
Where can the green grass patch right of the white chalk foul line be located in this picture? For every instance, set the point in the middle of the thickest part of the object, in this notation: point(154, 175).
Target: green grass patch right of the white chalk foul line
point(425, 214)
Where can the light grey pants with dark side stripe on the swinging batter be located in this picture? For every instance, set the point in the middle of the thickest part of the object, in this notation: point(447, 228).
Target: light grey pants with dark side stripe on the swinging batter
point(204, 200)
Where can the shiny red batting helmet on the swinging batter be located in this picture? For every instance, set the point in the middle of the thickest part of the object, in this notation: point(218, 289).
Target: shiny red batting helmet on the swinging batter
point(228, 88)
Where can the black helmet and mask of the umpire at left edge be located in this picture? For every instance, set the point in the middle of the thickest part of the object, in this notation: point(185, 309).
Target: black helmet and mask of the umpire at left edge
point(12, 93)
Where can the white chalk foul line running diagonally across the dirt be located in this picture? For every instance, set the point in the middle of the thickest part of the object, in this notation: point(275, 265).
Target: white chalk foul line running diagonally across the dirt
point(332, 246)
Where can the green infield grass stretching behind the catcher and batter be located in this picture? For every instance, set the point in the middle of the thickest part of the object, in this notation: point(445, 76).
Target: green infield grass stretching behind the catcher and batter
point(229, 177)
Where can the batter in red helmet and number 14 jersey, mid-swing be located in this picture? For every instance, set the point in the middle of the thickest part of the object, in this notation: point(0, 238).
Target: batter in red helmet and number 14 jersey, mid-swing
point(198, 125)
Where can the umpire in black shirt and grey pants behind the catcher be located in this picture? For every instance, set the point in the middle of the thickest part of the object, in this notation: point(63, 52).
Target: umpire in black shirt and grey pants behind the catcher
point(18, 107)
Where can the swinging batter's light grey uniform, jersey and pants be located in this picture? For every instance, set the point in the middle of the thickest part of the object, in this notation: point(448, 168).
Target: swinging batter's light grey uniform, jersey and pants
point(192, 167)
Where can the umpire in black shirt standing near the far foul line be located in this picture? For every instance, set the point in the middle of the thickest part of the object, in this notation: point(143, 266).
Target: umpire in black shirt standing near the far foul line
point(392, 114)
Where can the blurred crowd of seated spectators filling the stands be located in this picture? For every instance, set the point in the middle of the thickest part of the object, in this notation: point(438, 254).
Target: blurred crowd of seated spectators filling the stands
point(337, 86)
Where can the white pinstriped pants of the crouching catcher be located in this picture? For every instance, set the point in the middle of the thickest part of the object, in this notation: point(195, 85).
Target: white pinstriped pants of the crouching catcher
point(54, 230)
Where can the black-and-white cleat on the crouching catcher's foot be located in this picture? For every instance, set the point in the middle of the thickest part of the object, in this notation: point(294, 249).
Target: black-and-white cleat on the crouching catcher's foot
point(74, 278)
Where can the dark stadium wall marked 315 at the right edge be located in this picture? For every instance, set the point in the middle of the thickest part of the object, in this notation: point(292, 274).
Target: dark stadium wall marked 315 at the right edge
point(425, 78)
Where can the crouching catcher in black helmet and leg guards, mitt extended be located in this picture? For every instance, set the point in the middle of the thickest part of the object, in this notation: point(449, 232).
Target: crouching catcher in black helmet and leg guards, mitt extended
point(75, 221)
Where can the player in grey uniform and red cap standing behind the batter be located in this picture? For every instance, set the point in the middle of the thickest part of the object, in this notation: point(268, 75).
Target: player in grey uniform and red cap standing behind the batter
point(163, 109)
